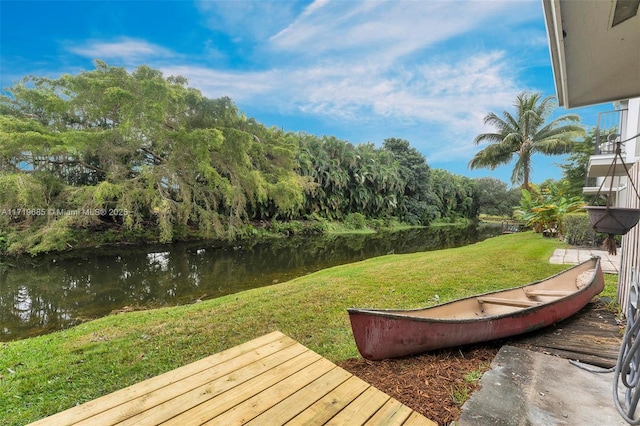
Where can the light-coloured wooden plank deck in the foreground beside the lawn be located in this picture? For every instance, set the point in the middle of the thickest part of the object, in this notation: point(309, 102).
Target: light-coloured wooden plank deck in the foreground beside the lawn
point(272, 380)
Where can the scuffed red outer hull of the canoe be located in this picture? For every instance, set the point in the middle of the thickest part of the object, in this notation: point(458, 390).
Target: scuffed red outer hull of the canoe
point(381, 334)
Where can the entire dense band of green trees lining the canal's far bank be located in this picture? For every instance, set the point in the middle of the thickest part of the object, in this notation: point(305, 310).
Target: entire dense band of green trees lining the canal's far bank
point(142, 156)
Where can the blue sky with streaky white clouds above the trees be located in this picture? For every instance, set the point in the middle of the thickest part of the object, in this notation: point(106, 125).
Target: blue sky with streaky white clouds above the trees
point(427, 71)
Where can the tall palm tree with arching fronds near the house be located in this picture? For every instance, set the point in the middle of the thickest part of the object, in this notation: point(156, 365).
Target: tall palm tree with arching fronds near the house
point(524, 135)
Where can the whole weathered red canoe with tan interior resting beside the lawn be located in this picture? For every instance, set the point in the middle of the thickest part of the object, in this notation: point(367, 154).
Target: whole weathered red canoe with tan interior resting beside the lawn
point(385, 333)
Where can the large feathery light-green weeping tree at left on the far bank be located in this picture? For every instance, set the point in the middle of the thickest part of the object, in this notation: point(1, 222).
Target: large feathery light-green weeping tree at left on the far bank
point(138, 151)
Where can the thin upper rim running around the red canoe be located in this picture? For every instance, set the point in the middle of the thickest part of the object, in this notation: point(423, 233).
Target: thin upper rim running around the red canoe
point(405, 314)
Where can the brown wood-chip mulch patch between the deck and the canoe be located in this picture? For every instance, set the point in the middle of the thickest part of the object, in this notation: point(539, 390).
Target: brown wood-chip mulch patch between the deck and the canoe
point(434, 384)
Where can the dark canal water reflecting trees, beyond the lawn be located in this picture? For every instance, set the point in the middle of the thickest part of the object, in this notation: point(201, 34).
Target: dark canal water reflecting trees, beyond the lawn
point(48, 293)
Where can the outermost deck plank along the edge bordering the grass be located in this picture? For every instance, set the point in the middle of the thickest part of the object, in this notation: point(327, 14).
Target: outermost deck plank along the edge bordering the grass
point(96, 406)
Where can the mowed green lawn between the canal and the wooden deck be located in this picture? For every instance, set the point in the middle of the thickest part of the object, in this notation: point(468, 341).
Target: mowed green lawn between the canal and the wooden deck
point(43, 375)
